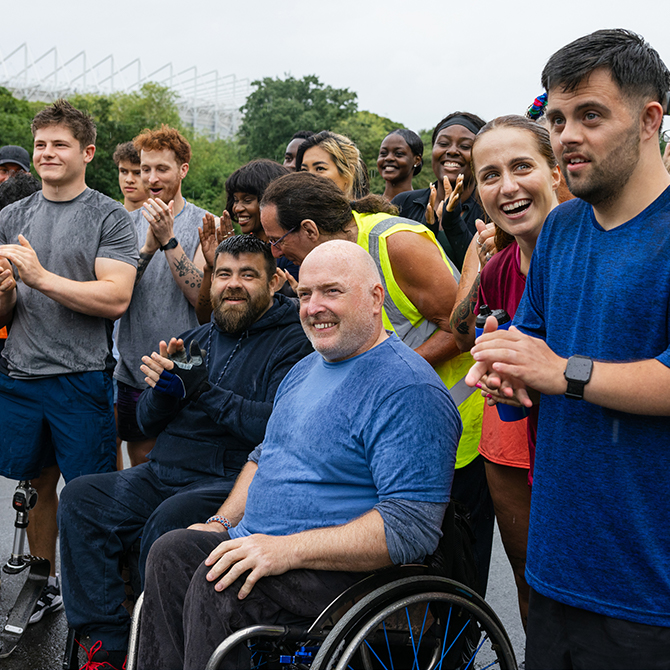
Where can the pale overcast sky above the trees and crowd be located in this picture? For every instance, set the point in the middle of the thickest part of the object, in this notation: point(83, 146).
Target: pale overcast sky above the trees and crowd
point(411, 60)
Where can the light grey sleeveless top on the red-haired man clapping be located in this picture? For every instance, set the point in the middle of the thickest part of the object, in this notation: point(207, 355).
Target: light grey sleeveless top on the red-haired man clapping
point(159, 310)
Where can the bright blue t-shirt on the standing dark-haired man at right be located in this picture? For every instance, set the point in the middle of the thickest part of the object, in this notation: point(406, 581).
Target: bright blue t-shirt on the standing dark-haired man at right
point(600, 512)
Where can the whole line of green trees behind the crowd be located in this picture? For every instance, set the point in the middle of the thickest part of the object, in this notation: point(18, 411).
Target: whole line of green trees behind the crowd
point(271, 114)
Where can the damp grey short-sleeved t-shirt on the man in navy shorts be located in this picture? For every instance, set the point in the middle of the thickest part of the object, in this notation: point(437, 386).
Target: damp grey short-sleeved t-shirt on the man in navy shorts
point(47, 338)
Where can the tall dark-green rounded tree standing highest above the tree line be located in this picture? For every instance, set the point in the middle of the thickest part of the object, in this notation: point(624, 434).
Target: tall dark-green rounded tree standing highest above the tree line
point(280, 107)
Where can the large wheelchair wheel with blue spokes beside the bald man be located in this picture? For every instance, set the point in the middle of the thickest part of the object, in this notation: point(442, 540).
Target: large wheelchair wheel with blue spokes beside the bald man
point(422, 623)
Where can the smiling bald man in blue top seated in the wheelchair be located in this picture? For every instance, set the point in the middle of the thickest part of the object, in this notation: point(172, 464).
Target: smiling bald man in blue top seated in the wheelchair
point(353, 475)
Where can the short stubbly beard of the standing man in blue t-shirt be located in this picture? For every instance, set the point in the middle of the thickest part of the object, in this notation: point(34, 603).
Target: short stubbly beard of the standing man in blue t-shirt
point(609, 177)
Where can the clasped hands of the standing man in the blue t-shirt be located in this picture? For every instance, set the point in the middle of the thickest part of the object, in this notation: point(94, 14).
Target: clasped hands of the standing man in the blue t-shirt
point(509, 365)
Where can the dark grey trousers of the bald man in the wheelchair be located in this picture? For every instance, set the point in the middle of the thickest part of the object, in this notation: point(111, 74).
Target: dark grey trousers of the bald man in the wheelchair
point(184, 619)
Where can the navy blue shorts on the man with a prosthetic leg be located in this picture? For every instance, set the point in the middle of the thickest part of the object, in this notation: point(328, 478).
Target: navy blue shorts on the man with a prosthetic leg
point(66, 418)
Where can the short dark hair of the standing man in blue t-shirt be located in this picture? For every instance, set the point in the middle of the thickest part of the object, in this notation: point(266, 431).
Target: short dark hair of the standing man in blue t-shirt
point(632, 63)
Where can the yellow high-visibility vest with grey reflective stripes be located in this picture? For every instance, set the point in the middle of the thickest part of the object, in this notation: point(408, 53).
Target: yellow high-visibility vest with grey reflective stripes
point(403, 318)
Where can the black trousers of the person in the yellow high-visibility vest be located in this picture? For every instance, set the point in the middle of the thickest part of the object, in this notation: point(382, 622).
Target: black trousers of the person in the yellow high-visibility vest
point(471, 489)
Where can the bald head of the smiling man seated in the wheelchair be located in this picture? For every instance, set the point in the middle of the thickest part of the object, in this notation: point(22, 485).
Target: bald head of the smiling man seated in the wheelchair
point(341, 300)
